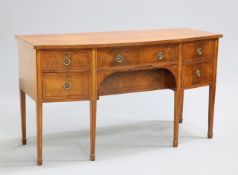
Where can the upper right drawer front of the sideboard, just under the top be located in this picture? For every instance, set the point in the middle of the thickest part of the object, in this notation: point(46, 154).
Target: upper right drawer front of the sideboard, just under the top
point(199, 50)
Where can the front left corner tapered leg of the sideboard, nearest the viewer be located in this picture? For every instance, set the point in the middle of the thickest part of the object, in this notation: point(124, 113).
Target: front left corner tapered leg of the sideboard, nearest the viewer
point(39, 132)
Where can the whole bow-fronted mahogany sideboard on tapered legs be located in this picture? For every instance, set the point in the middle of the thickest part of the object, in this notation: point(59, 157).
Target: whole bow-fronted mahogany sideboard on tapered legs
point(85, 66)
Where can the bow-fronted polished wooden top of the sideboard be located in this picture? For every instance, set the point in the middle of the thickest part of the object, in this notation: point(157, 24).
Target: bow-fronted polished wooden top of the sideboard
point(117, 38)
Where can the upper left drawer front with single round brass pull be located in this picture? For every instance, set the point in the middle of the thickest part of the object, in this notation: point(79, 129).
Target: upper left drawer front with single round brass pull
point(73, 60)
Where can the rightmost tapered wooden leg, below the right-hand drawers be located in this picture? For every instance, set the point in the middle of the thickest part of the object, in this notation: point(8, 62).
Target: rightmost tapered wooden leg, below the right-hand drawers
point(212, 92)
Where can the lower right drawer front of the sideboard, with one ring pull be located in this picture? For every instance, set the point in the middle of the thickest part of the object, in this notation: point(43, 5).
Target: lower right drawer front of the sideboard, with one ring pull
point(197, 74)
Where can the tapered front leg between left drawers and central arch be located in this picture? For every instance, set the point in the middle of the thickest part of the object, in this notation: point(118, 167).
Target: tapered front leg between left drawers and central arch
point(93, 104)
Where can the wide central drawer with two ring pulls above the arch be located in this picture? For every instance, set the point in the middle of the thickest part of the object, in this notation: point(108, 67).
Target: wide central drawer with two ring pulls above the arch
point(131, 56)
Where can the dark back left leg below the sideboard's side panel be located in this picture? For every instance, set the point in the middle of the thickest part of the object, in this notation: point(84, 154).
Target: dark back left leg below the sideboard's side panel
point(23, 115)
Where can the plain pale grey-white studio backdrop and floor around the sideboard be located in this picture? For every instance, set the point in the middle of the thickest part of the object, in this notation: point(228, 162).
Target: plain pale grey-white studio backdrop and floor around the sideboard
point(134, 130)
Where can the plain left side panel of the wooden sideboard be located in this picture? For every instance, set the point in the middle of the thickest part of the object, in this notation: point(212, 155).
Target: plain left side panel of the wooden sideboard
point(27, 69)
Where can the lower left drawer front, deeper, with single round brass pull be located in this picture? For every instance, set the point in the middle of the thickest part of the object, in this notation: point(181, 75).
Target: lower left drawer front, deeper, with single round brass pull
point(65, 87)
